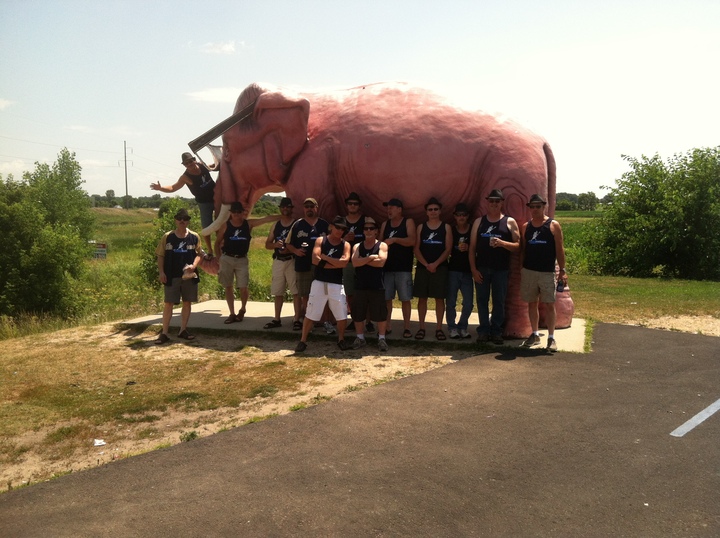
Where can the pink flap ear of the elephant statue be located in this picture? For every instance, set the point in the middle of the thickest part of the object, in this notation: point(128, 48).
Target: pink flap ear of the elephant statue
point(283, 121)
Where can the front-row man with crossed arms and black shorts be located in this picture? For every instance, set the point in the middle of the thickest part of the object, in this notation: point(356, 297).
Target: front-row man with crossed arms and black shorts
point(368, 258)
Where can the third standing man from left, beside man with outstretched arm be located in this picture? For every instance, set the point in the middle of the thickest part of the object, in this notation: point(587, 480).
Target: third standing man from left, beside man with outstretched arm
point(283, 269)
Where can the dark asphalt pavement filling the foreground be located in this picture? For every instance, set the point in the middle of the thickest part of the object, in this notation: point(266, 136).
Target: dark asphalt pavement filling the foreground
point(505, 443)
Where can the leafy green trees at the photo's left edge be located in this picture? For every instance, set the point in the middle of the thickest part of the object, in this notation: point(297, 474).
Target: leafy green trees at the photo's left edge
point(47, 222)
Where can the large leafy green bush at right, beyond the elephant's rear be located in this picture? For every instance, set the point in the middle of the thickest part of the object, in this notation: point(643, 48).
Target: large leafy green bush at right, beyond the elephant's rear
point(663, 220)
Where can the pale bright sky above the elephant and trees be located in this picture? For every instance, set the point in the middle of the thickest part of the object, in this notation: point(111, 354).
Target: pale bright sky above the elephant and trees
point(598, 80)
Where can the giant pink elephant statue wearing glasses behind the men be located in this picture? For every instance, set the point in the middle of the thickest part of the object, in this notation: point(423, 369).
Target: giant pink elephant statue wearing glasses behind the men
point(382, 141)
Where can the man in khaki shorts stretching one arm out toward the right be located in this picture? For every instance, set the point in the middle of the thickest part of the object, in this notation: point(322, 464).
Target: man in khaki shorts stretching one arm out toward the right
point(232, 245)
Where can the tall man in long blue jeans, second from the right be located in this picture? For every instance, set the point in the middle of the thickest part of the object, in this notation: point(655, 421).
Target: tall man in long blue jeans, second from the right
point(493, 238)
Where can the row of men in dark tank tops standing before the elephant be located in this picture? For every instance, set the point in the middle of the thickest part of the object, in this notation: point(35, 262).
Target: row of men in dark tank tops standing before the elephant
point(353, 265)
